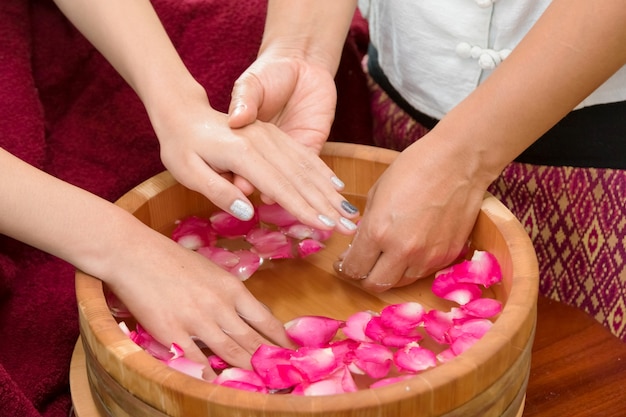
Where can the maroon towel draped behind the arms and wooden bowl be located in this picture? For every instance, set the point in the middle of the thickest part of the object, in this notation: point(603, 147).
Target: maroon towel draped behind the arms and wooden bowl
point(64, 109)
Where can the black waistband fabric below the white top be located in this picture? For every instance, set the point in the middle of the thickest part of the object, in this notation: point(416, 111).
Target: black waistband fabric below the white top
point(593, 136)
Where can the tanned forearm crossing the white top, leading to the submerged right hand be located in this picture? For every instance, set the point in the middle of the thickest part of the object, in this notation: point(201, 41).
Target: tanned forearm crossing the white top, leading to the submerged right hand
point(573, 48)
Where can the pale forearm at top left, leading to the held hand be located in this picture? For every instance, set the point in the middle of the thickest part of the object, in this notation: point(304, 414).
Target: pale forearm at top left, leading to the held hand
point(131, 37)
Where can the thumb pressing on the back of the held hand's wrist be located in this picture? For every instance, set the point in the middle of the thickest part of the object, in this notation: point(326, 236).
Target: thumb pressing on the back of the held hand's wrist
point(246, 98)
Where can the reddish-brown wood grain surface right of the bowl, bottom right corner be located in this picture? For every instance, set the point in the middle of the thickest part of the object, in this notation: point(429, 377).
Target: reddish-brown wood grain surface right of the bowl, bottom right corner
point(578, 368)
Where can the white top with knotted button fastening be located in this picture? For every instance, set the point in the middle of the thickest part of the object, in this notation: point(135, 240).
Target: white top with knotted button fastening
point(435, 52)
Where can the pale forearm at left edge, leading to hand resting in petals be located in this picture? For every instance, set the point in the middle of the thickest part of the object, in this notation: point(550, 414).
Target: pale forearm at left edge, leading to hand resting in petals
point(64, 220)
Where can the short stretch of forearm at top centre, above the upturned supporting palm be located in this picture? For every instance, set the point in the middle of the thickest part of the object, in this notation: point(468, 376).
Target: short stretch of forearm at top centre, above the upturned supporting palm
point(314, 30)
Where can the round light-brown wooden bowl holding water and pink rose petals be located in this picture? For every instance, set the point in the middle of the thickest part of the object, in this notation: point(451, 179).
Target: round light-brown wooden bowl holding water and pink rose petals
point(489, 379)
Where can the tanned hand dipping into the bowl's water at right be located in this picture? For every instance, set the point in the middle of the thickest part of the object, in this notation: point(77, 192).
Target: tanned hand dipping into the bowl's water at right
point(417, 220)
